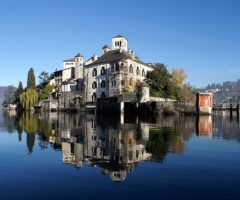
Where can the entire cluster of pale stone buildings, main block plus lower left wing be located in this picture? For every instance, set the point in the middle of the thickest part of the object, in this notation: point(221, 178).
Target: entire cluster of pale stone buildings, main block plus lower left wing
point(118, 70)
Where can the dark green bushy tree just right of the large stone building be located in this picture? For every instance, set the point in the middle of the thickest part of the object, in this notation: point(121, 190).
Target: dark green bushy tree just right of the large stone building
point(159, 81)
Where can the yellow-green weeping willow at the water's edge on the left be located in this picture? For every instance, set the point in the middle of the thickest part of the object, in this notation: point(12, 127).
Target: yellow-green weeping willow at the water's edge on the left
point(28, 99)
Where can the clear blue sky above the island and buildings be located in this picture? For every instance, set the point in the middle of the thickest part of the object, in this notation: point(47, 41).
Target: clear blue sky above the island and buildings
point(202, 36)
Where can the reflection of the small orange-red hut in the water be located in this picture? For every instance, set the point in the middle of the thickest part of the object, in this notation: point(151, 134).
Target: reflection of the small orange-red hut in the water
point(204, 126)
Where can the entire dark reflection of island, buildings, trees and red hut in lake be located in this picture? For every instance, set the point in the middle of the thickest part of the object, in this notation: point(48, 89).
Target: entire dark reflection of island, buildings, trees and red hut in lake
point(106, 142)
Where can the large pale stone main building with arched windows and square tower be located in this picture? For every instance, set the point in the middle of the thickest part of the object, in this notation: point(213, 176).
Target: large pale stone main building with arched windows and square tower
point(116, 71)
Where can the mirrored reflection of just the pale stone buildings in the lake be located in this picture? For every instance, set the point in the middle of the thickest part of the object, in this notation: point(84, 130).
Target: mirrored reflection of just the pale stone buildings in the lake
point(116, 150)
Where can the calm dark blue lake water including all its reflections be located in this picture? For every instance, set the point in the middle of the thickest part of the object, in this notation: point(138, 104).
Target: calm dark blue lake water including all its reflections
point(83, 156)
